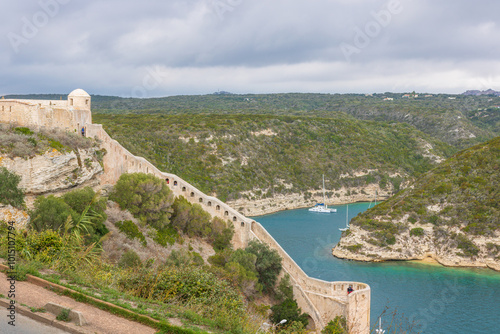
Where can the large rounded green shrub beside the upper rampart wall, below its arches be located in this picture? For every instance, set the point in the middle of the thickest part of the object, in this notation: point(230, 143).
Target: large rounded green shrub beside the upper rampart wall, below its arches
point(146, 197)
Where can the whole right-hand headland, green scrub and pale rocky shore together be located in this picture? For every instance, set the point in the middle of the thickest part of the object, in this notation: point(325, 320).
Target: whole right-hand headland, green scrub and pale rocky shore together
point(451, 213)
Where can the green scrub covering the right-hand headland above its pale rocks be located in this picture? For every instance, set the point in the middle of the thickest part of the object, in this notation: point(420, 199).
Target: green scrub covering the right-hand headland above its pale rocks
point(463, 193)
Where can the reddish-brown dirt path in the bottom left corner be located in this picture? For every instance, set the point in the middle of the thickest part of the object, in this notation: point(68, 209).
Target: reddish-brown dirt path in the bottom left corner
point(98, 320)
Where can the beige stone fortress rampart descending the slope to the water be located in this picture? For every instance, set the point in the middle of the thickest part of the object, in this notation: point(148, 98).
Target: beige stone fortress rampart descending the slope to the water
point(322, 300)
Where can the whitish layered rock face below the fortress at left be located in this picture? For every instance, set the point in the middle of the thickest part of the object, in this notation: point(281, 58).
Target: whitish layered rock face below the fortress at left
point(54, 171)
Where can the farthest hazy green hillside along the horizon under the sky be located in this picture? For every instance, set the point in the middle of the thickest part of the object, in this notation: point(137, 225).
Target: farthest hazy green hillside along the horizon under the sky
point(459, 120)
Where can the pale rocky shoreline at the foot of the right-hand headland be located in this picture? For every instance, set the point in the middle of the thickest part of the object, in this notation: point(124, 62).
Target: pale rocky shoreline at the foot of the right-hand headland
point(356, 245)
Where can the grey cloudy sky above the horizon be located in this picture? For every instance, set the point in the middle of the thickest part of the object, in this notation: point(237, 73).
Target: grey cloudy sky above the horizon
point(154, 48)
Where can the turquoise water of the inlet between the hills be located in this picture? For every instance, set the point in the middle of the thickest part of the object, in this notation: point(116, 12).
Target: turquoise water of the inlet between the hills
point(433, 299)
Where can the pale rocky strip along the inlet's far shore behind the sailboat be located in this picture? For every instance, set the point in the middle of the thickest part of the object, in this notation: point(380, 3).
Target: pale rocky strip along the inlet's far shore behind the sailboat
point(281, 202)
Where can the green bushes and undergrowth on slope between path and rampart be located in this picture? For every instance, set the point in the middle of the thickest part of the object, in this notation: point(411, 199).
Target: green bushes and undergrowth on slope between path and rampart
point(66, 235)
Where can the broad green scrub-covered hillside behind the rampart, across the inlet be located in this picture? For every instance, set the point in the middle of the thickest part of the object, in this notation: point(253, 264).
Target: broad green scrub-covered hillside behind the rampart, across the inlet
point(231, 154)
